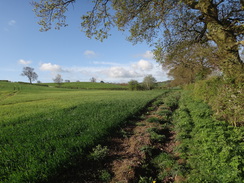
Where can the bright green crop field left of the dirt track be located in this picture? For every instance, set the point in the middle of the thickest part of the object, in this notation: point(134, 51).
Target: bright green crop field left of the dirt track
point(43, 128)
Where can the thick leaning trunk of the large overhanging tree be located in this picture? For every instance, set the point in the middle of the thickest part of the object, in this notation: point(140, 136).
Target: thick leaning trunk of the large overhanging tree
point(225, 38)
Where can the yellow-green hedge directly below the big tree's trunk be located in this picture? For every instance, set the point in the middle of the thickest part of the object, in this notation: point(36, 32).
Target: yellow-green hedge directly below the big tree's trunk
point(226, 99)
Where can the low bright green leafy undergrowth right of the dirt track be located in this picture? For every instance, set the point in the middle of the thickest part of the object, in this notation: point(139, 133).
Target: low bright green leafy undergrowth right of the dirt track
point(213, 149)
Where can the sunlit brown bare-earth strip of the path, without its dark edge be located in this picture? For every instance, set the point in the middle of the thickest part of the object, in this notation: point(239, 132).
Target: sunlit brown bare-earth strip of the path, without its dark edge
point(130, 153)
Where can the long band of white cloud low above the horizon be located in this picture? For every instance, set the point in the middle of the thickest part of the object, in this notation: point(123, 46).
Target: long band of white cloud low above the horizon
point(108, 71)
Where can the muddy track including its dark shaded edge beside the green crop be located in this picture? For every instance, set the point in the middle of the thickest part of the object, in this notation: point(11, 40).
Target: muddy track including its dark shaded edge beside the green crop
point(130, 148)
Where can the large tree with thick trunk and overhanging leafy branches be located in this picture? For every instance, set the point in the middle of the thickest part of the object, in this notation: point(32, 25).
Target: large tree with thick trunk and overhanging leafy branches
point(174, 21)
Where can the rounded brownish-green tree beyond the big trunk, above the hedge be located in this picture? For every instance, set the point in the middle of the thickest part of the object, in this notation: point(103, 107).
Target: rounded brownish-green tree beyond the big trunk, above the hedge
point(188, 63)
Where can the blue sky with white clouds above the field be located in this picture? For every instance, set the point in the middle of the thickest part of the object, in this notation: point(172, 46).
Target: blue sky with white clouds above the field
point(68, 51)
